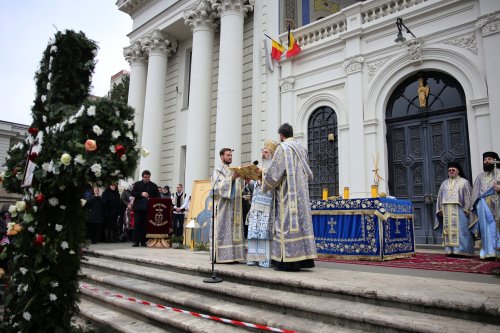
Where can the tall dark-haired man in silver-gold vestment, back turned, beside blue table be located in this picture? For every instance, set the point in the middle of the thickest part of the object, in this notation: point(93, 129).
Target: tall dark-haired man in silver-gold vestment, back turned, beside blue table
point(288, 175)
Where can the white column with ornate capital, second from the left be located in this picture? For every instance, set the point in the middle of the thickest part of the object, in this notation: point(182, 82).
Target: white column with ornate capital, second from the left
point(158, 48)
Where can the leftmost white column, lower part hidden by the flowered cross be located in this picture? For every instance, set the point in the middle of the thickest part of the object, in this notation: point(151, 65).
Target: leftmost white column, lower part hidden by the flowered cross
point(137, 87)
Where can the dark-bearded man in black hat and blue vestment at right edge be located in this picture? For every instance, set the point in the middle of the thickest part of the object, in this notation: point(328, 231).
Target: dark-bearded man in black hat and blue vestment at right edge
point(484, 217)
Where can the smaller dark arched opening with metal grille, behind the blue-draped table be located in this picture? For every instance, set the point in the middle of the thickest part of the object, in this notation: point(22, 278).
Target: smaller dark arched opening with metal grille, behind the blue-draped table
point(323, 152)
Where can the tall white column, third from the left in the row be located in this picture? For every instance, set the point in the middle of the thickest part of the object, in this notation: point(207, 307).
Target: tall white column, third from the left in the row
point(201, 21)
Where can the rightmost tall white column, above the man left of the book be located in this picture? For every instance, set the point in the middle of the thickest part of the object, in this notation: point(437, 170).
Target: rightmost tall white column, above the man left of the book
point(230, 86)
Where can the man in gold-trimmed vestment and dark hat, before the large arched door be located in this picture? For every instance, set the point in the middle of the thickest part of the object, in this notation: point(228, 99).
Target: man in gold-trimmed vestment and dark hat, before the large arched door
point(452, 209)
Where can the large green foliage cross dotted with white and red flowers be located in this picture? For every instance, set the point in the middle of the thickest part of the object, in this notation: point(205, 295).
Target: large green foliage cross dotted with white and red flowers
point(74, 143)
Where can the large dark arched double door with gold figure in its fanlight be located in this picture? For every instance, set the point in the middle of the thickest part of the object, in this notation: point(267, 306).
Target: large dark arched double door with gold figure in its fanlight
point(421, 140)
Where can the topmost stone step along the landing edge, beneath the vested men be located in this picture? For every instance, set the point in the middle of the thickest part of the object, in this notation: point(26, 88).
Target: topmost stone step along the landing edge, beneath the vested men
point(459, 299)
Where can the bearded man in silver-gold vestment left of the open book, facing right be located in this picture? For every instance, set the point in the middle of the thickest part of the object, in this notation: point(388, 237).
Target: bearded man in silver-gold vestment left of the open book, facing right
point(229, 246)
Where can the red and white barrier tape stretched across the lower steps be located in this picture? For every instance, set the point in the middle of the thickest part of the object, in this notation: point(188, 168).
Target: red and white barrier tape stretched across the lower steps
point(195, 314)
